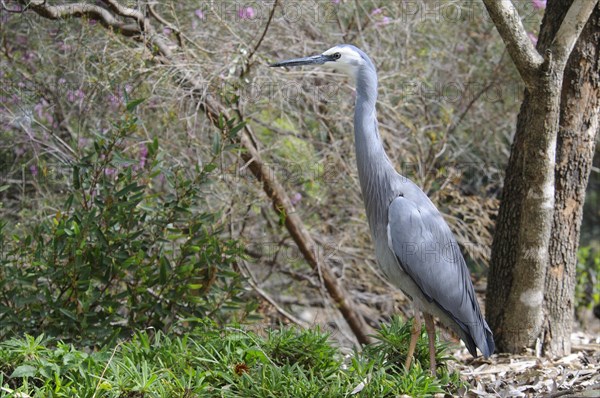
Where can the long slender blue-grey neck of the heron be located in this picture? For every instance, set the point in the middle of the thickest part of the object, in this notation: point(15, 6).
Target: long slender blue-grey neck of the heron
point(375, 170)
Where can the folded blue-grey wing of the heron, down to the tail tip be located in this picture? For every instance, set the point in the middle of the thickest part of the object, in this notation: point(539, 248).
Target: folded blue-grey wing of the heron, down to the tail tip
point(427, 251)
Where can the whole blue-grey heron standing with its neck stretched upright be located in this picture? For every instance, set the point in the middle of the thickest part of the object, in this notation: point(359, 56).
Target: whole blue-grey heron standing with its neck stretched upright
point(414, 246)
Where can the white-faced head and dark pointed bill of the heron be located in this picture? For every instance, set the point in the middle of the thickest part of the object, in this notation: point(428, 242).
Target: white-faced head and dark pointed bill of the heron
point(344, 57)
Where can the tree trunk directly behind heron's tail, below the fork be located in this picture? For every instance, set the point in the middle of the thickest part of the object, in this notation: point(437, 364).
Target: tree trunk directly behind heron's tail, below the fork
point(520, 248)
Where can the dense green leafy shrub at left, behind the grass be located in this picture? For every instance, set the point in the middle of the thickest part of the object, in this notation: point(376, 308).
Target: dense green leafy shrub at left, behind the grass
point(130, 248)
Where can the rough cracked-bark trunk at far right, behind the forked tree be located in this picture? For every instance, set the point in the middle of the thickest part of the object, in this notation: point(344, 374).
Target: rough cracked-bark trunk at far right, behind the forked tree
point(579, 126)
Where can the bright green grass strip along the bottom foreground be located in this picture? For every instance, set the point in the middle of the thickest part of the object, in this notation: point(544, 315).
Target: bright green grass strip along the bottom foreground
point(230, 362)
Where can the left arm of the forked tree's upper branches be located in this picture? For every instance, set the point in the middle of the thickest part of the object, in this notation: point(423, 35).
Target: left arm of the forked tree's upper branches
point(508, 22)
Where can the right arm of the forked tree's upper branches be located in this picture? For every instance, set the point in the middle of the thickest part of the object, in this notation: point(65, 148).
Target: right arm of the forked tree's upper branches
point(570, 29)
